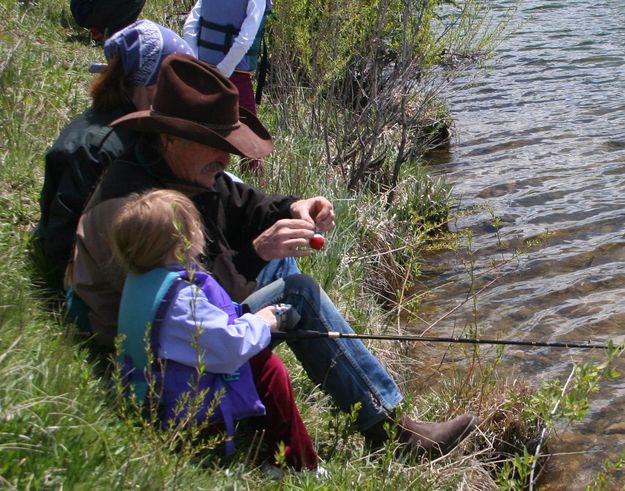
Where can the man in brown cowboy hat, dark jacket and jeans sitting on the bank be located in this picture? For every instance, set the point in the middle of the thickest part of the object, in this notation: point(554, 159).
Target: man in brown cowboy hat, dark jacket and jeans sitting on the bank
point(195, 123)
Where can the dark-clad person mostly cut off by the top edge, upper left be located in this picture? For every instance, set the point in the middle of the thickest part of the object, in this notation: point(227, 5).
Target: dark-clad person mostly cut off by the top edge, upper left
point(104, 18)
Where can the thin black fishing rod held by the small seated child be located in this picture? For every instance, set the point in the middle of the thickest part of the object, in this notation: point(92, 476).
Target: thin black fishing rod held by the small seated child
point(300, 335)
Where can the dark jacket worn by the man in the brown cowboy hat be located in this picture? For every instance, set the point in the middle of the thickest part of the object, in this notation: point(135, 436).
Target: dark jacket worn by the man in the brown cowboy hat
point(234, 214)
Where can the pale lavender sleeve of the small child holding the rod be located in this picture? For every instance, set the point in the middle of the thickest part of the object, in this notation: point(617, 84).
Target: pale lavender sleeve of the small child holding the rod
point(191, 318)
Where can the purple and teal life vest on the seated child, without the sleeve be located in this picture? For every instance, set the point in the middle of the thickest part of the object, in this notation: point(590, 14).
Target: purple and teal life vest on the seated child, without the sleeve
point(146, 299)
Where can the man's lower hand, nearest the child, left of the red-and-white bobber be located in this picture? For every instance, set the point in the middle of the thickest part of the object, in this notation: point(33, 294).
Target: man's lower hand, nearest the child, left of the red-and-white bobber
point(286, 237)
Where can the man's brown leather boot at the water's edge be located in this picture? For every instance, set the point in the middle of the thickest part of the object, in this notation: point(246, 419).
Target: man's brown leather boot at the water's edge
point(432, 439)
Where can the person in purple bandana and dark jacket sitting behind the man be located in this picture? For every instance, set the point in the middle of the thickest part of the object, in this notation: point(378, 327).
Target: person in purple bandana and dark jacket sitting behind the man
point(88, 144)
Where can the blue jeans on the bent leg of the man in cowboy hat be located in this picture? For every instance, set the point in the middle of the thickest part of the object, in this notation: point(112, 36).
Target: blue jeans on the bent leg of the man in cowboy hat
point(344, 368)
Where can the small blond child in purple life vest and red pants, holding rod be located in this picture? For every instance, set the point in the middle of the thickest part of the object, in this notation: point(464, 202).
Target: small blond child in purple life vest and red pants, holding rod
point(157, 236)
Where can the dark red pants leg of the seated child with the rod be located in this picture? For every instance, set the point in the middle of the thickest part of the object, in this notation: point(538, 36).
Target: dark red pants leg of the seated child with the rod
point(282, 422)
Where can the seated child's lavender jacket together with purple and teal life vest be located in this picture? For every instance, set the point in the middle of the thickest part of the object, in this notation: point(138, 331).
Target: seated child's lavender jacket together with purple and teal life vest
point(193, 313)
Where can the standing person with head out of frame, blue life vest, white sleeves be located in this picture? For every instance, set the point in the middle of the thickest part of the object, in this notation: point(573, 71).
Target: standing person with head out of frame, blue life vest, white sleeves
point(227, 34)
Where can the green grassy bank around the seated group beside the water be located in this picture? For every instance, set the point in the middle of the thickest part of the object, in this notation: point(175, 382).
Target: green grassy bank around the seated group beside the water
point(60, 423)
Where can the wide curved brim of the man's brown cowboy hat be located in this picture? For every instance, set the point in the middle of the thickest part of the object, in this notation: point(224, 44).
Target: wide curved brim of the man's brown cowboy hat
point(250, 139)
